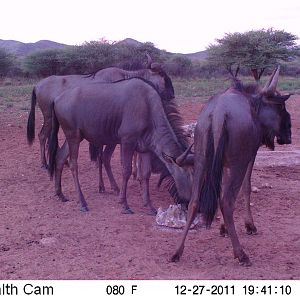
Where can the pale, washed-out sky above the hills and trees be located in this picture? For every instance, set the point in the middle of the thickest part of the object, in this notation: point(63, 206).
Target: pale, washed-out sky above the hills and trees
point(174, 25)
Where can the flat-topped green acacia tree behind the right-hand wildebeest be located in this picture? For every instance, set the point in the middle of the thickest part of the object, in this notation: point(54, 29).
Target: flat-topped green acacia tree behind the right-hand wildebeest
point(254, 50)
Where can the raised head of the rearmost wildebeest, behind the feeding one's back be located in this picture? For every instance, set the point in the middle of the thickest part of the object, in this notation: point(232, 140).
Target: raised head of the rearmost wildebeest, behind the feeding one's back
point(160, 80)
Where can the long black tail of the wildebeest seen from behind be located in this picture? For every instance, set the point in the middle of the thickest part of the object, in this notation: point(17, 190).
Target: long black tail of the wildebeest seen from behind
point(211, 188)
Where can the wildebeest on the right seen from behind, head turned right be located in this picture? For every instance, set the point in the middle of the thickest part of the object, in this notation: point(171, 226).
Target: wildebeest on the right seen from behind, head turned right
point(229, 131)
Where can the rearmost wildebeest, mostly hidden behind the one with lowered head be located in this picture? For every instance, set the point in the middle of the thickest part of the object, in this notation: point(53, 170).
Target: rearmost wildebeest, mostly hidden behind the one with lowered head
point(49, 88)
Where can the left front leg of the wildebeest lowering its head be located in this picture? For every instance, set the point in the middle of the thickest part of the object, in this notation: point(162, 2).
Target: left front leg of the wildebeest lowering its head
point(127, 151)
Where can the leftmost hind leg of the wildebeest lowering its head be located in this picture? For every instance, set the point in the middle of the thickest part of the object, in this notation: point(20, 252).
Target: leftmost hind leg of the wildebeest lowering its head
point(61, 158)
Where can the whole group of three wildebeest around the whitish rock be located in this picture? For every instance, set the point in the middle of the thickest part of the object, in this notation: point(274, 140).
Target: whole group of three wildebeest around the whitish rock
point(137, 110)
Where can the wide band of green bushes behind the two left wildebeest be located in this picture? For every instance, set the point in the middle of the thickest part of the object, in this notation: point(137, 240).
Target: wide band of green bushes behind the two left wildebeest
point(89, 58)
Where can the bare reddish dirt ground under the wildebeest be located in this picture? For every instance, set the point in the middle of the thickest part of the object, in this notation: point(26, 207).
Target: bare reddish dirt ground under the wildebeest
point(42, 238)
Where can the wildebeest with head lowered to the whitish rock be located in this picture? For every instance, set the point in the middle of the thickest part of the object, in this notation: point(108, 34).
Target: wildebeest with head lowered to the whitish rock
point(130, 113)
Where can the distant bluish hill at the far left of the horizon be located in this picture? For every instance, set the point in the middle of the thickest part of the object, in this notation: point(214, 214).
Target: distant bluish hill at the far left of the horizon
point(23, 49)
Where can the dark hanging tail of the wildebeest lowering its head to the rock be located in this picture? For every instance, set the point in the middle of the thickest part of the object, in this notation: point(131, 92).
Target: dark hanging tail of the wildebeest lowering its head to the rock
point(53, 143)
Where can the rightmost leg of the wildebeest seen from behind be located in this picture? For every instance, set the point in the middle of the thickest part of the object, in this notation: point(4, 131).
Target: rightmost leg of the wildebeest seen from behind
point(245, 195)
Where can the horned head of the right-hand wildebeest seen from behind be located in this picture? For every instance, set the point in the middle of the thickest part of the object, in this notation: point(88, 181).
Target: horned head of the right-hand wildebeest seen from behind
point(274, 117)
